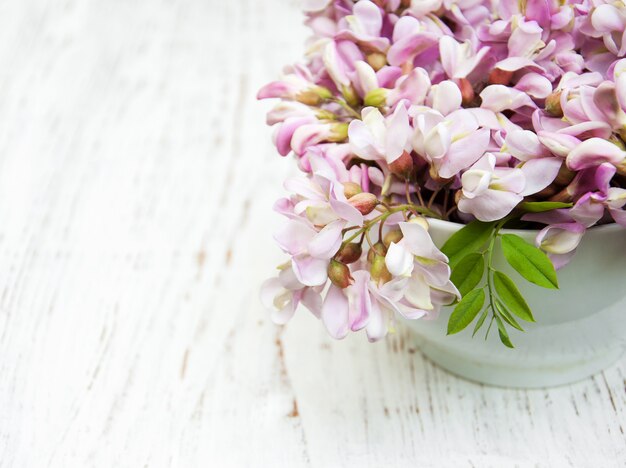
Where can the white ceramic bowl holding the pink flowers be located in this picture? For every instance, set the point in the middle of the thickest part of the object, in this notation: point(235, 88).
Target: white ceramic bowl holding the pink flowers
point(580, 329)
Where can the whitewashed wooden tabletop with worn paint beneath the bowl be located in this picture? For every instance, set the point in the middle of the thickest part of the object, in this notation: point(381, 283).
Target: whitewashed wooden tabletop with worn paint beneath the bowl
point(136, 185)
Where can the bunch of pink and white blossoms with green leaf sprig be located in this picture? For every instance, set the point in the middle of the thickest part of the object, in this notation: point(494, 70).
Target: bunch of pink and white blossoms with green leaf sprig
point(492, 114)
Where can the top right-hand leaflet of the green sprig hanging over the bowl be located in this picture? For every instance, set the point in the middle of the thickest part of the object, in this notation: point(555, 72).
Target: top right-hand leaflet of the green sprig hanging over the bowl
point(529, 261)
